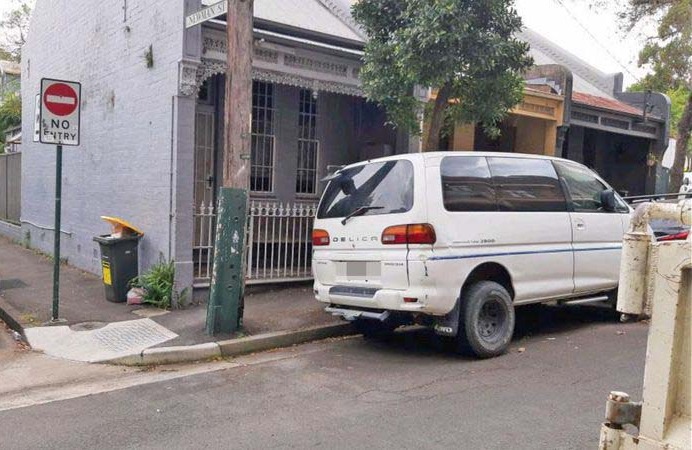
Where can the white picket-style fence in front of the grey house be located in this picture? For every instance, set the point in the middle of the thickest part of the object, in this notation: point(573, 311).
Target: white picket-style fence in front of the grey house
point(279, 242)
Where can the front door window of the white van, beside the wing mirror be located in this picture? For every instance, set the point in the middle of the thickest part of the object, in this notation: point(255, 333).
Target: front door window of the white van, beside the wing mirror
point(583, 187)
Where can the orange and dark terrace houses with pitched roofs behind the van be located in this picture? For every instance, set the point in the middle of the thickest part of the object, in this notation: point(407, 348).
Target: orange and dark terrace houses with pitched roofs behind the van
point(573, 110)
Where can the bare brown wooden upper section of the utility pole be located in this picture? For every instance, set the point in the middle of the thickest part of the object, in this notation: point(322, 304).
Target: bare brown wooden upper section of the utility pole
point(238, 109)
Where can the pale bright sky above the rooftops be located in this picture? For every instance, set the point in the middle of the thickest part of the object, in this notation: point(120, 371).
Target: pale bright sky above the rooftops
point(564, 21)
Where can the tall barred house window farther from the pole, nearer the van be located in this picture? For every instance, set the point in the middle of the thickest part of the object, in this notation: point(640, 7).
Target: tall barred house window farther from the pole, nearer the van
point(308, 144)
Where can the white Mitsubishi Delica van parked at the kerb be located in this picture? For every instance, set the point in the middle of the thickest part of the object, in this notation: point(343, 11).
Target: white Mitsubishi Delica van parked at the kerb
point(455, 240)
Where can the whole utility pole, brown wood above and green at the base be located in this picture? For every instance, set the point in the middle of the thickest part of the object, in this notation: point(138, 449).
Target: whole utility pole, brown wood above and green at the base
point(225, 307)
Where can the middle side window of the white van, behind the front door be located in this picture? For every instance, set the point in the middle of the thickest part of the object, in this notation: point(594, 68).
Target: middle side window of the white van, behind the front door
point(524, 184)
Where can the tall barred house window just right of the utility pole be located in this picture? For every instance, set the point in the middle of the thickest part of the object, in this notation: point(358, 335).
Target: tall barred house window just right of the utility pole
point(262, 152)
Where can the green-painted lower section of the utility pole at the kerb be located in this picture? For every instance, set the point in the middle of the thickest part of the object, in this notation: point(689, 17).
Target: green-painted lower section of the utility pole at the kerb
point(225, 306)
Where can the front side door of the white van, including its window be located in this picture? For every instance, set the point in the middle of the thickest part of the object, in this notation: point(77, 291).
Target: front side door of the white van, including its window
point(596, 233)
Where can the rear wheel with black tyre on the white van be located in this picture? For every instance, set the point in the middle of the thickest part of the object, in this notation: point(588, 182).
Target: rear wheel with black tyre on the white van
point(486, 320)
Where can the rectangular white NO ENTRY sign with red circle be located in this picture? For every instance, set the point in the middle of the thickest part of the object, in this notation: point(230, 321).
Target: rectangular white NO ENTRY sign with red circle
point(59, 113)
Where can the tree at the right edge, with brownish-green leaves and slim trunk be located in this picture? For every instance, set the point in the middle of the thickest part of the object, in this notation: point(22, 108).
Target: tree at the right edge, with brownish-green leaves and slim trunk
point(669, 55)
